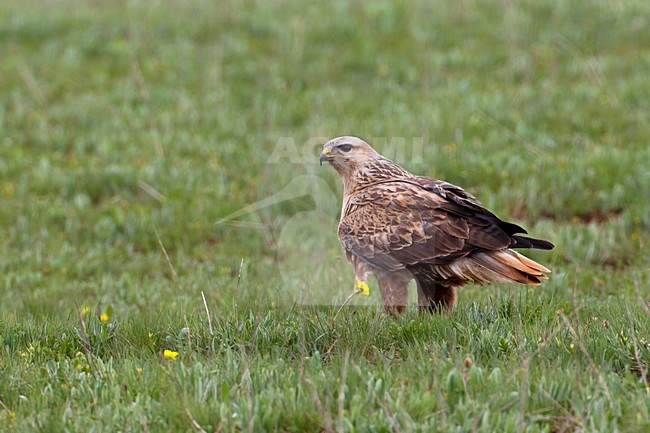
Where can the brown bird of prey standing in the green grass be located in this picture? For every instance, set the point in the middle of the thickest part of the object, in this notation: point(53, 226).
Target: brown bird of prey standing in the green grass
point(398, 226)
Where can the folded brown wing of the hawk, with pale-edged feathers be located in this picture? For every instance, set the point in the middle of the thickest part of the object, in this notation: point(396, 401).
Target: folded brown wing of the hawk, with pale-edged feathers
point(393, 225)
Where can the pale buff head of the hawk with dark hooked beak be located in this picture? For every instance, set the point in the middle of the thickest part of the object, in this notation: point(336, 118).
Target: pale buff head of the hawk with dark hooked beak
point(346, 154)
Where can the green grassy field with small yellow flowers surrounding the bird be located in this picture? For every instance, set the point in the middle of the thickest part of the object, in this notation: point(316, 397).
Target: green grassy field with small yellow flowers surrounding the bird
point(125, 126)
